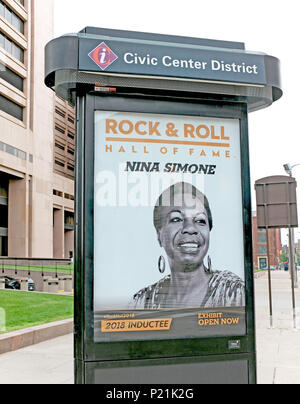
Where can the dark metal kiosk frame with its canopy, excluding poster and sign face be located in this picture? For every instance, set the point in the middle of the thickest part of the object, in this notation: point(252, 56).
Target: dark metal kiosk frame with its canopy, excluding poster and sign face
point(205, 360)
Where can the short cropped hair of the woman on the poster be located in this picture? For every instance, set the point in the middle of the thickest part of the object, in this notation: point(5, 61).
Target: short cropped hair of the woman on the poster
point(167, 198)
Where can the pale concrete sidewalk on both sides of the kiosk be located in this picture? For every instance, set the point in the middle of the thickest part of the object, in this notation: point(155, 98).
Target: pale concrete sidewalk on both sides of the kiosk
point(278, 349)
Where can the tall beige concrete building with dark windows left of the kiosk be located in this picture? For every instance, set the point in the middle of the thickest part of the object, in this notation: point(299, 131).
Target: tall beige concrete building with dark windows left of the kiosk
point(36, 198)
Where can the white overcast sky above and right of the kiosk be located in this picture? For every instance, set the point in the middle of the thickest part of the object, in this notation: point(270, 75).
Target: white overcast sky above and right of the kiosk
point(271, 27)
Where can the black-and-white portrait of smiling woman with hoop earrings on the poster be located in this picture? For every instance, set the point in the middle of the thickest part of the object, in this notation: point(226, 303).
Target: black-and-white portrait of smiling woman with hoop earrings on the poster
point(183, 222)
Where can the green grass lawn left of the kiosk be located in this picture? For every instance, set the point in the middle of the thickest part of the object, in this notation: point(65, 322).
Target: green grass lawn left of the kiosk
point(25, 309)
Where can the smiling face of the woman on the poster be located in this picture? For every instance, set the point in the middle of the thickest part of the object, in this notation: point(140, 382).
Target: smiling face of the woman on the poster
point(185, 232)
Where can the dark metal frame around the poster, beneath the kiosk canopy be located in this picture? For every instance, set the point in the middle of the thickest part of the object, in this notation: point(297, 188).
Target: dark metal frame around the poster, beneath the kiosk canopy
point(86, 350)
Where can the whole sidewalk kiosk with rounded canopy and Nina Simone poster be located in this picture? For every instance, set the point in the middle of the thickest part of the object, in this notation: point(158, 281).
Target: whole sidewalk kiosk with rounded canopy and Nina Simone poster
point(164, 274)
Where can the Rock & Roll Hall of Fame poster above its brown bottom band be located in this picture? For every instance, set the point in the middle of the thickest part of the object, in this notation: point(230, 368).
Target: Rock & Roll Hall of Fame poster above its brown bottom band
point(167, 240)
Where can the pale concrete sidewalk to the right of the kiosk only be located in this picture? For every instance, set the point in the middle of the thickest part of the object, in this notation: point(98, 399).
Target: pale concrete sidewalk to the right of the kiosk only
point(278, 349)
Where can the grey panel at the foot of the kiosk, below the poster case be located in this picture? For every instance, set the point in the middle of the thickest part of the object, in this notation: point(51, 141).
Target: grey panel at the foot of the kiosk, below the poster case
point(236, 369)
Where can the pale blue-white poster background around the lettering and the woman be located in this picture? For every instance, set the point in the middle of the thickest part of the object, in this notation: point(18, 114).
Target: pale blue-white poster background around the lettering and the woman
point(126, 250)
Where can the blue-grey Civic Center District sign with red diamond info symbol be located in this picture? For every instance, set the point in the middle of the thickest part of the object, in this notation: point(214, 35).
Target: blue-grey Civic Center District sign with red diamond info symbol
point(115, 57)
